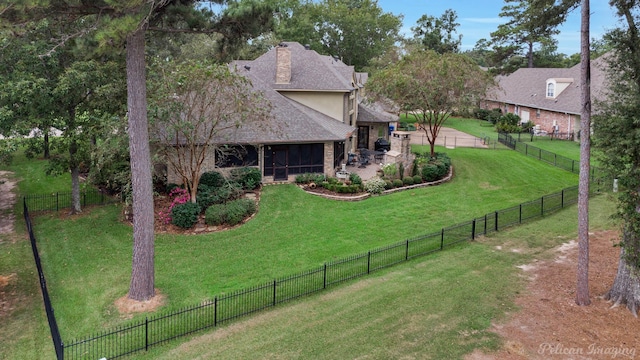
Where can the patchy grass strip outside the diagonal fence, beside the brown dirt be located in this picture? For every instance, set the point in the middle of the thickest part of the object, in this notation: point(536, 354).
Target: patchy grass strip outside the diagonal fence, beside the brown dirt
point(437, 307)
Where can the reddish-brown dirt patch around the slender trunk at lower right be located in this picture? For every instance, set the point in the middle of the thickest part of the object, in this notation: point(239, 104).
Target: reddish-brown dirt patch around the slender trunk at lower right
point(551, 326)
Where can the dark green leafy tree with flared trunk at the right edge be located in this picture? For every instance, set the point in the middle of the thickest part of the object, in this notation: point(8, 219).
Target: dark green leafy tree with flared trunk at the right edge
point(616, 128)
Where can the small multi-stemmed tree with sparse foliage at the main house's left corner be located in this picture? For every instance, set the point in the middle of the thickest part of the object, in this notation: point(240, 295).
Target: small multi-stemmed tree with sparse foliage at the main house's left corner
point(197, 108)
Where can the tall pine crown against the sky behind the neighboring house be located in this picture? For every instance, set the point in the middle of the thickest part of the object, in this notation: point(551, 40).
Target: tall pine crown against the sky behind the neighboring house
point(529, 22)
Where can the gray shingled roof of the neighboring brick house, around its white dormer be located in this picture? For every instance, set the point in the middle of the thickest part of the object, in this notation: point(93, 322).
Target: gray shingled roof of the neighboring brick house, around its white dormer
point(527, 87)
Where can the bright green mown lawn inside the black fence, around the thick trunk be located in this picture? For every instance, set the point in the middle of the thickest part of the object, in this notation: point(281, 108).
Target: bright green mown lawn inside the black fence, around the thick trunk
point(292, 232)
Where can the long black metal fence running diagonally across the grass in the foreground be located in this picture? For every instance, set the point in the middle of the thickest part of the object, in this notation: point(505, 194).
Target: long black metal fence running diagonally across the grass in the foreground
point(143, 334)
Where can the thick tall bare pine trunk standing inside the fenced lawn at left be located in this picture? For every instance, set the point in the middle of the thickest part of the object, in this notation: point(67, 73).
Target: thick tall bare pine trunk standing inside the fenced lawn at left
point(142, 270)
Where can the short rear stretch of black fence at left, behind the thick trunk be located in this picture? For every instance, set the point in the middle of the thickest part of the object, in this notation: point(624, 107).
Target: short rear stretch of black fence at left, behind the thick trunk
point(62, 200)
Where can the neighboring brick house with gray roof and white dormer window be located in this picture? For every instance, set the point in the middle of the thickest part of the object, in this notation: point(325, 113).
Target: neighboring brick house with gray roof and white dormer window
point(547, 97)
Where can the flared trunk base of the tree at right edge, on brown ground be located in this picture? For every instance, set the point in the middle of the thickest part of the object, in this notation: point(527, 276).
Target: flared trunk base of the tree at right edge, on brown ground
point(626, 286)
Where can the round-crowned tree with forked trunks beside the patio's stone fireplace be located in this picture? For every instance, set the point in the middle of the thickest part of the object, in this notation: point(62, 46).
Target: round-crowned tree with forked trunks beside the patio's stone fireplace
point(433, 85)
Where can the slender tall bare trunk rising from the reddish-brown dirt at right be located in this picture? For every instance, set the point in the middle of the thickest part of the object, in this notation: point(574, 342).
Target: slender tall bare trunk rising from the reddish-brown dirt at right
point(582, 287)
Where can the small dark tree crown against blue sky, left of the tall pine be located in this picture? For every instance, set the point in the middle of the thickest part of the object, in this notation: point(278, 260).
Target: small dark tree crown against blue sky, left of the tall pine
point(438, 34)
